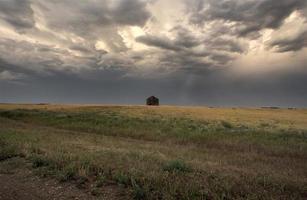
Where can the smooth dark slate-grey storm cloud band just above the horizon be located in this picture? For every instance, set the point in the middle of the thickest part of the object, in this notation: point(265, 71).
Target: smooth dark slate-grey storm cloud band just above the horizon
point(211, 89)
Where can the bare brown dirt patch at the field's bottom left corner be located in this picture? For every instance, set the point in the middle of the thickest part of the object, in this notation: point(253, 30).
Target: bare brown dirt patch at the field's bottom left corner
point(20, 183)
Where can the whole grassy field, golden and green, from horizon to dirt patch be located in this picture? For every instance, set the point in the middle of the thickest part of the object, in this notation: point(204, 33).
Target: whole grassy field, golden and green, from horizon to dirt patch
point(162, 152)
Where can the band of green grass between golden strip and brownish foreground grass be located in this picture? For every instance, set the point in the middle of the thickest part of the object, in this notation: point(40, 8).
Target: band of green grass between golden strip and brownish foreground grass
point(149, 128)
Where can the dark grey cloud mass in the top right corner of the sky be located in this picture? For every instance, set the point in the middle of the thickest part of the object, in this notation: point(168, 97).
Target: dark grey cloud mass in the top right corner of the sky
point(249, 16)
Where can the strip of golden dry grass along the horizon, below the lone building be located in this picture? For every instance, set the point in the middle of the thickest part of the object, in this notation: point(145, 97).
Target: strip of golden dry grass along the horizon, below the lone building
point(293, 118)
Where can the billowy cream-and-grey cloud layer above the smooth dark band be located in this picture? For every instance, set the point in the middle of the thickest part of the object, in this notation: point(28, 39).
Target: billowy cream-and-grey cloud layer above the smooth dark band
point(112, 41)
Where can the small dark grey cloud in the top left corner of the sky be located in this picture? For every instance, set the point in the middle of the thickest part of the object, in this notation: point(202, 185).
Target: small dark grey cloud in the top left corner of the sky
point(17, 13)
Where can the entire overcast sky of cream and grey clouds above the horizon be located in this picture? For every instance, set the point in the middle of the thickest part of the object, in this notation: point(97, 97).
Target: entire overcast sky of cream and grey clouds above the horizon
point(186, 52)
